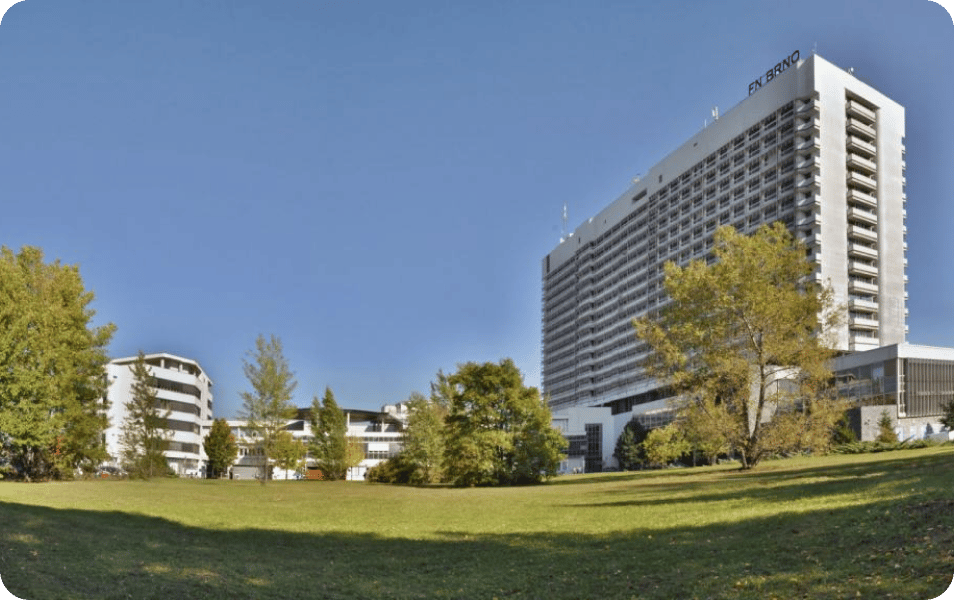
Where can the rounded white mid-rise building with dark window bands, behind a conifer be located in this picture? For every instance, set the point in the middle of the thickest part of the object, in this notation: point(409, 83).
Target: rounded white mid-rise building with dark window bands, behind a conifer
point(185, 390)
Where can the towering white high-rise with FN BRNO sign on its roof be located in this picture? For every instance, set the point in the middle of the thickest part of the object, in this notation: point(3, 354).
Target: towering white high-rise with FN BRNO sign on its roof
point(811, 146)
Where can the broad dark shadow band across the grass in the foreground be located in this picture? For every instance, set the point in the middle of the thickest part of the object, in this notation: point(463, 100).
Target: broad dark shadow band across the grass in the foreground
point(882, 550)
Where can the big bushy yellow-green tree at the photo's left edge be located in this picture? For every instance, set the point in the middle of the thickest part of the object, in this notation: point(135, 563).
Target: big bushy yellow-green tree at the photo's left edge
point(52, 360)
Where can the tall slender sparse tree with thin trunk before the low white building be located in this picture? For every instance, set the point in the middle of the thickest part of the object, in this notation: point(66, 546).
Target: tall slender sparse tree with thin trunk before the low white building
point(267, 408)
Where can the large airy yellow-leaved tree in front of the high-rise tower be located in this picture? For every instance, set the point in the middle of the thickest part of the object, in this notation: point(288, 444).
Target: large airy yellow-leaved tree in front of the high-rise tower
point(747, 340)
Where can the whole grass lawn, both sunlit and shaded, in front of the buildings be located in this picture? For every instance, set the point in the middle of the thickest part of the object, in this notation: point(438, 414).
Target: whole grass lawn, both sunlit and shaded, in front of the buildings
point(863, 526)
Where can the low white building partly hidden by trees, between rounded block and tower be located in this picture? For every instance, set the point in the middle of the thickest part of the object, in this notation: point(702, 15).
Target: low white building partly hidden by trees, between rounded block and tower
point(380, 434)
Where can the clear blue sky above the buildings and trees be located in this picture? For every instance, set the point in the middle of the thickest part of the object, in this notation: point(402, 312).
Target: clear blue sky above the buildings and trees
point(377, 182)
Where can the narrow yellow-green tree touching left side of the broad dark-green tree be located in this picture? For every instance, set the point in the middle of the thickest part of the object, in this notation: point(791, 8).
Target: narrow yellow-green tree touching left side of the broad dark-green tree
point(424, 435)
